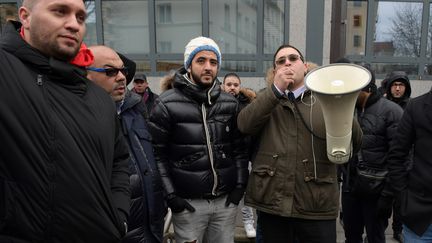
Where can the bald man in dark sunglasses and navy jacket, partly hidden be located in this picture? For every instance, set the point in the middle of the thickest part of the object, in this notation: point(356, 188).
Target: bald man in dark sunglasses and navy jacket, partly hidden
point(148, 208)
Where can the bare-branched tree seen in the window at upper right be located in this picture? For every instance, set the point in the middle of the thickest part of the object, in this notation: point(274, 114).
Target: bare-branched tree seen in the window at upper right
point(406, 29)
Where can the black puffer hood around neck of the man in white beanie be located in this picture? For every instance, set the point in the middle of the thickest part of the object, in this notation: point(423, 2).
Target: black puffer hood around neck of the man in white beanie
point(195, 92)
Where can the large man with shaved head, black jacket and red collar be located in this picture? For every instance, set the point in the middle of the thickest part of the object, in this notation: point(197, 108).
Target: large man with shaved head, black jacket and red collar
point(63, 161)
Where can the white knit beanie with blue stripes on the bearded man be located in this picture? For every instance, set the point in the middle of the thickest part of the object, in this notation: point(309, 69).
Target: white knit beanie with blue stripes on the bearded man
point(200, 44)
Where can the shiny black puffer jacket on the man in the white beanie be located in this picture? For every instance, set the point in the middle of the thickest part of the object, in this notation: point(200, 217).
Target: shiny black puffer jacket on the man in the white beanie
point(197, 144)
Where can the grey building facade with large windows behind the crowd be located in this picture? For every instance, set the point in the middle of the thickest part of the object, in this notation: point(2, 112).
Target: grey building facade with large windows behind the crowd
point(389, 35)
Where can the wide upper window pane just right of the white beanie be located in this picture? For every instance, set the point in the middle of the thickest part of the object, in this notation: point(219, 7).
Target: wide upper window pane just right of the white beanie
point(236, 35)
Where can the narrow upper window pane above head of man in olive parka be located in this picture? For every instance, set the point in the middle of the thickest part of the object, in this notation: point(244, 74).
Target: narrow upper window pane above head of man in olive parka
point(273, 25)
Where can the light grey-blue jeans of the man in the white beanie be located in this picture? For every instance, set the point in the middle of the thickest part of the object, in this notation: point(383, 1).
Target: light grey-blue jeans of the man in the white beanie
point(211, 218)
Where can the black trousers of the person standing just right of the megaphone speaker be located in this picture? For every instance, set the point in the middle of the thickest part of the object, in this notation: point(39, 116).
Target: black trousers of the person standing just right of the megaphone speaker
point(360, 212)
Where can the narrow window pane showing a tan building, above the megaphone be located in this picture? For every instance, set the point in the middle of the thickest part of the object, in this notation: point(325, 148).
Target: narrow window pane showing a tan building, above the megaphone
point(356, 28)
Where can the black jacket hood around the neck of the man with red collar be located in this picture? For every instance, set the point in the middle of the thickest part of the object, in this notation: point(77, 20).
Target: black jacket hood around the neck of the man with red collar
point(70, 76)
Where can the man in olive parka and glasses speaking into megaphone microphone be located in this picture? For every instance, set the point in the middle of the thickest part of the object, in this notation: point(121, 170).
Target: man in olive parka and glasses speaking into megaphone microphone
point(293, 185)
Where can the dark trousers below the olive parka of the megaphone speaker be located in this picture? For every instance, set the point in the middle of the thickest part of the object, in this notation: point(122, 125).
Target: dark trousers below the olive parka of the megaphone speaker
point(293, 230)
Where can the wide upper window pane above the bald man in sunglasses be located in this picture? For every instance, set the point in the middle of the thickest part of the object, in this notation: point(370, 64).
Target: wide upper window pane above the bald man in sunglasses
point(125, 26)
